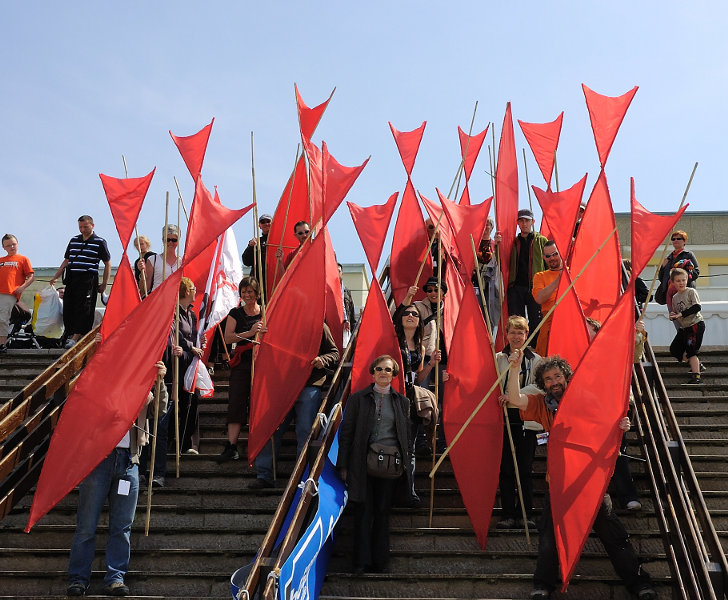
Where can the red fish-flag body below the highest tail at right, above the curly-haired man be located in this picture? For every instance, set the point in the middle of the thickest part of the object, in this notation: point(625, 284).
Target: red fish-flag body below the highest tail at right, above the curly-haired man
point(599, 286)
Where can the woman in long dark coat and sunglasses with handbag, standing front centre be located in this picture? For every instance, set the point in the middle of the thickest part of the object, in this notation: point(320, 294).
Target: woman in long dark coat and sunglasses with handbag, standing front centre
point(375, 414)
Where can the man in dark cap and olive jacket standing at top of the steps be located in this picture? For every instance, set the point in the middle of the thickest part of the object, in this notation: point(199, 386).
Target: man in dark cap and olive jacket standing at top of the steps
point(526, 261)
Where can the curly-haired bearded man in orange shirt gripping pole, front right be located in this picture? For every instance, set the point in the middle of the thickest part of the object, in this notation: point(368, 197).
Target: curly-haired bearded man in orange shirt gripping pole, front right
point(553, 376)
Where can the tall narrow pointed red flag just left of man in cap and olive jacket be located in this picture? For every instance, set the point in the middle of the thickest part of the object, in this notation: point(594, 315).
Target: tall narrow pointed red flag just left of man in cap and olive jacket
point(506, 196)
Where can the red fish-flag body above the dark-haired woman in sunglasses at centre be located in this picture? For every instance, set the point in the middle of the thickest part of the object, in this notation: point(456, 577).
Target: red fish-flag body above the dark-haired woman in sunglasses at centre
point(410, 245)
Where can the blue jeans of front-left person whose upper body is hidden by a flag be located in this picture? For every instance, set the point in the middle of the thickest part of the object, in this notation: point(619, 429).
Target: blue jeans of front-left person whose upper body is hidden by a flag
point(103, 483)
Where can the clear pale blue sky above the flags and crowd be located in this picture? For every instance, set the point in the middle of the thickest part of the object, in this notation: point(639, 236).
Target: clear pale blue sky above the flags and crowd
point(85, 82)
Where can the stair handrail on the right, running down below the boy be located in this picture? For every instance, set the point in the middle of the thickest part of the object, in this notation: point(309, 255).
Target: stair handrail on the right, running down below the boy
point(695, 555)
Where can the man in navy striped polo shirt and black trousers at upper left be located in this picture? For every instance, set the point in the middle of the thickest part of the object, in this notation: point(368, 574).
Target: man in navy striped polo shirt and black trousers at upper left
point(81, 265)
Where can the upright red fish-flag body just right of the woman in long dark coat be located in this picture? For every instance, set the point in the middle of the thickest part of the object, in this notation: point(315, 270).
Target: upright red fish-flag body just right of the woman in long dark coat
point(476, 456)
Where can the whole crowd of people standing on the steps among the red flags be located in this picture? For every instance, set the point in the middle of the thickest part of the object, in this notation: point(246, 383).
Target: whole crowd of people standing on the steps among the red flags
point(400, 428)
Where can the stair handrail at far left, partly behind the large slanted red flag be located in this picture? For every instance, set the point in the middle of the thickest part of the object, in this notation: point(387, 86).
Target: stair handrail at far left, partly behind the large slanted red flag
point(27, 422)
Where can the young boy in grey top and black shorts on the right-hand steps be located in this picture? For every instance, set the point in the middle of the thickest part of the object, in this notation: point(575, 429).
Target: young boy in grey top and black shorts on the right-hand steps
point(686, 310)
